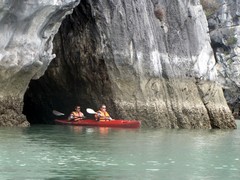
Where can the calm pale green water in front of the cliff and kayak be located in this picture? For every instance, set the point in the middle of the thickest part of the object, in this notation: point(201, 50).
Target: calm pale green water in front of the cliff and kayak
point(66, 152)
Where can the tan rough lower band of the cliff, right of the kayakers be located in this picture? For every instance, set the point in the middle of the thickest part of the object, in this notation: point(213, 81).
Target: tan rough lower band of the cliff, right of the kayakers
point(180, 104)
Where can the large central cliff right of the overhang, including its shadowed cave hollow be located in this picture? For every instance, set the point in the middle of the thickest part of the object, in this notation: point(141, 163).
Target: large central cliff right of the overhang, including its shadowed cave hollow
point(148, 60)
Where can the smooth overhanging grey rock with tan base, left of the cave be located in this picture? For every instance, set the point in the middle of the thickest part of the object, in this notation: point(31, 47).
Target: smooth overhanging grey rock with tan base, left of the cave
point(27, 29)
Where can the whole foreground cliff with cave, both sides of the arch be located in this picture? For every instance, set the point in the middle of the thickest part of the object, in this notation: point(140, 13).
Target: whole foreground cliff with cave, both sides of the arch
point(148, 60)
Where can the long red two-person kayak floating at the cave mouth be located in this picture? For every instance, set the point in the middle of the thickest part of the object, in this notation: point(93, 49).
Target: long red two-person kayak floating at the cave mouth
point(112, 123)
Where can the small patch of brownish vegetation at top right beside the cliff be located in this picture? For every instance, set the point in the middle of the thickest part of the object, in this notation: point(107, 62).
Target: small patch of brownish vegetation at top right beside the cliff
point(210, 6)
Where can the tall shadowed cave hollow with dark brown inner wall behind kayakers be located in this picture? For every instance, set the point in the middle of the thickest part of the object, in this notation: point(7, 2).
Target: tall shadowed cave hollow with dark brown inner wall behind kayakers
point(77, 76)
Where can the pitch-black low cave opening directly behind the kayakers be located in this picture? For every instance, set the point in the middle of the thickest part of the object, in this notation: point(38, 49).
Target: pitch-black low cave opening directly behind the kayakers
point(40, 100)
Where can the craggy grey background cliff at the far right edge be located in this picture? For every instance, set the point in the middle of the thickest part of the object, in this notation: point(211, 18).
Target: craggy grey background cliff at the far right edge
point(225, 34)
